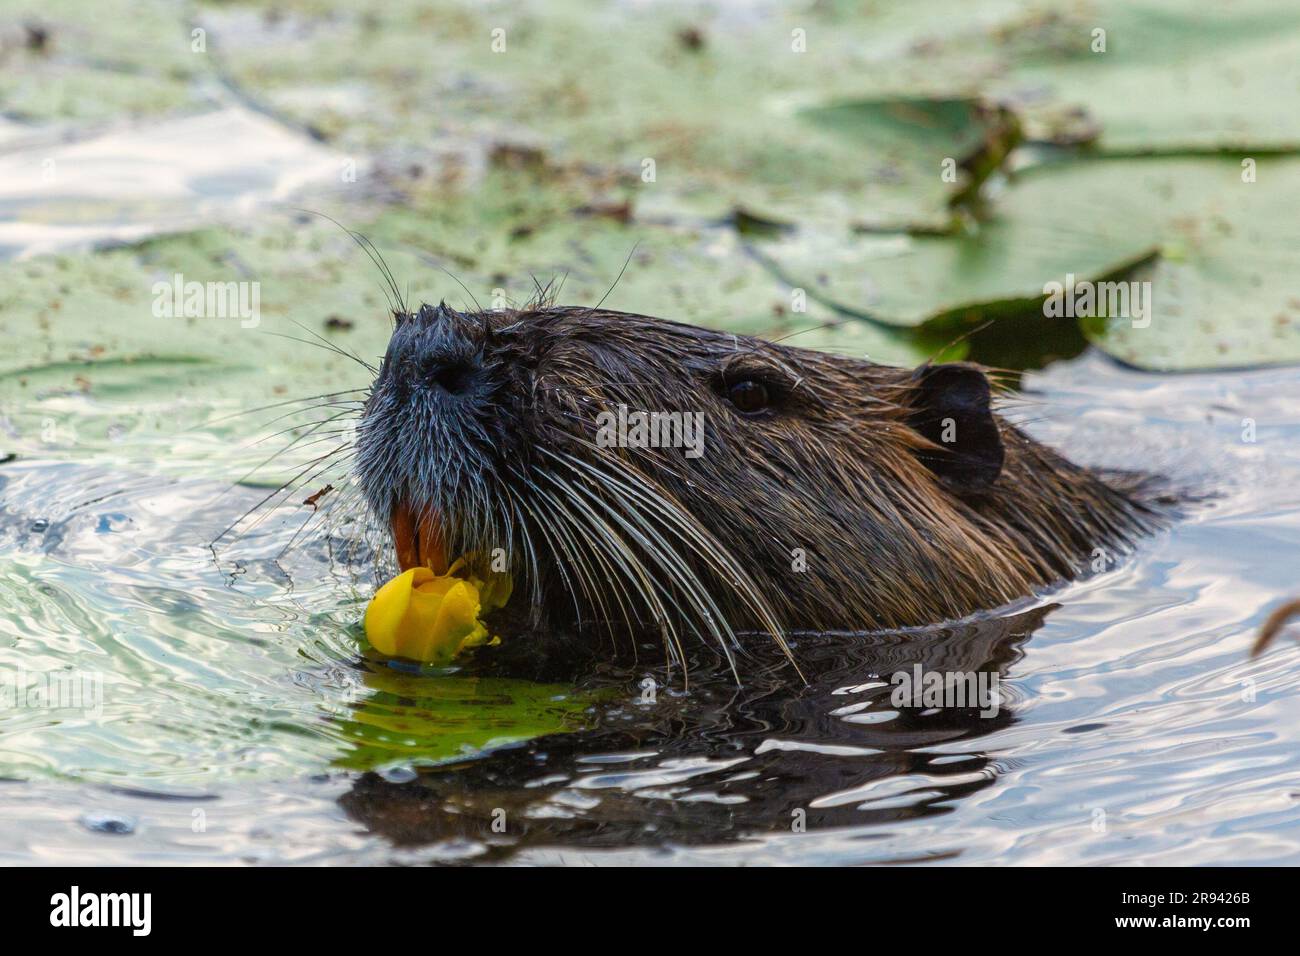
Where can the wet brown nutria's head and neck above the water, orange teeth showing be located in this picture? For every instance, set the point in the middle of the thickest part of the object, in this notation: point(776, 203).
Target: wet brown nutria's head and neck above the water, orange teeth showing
point(820, 492)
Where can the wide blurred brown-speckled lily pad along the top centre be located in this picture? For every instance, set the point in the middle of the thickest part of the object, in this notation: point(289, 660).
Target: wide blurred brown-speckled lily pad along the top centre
point(785, 115)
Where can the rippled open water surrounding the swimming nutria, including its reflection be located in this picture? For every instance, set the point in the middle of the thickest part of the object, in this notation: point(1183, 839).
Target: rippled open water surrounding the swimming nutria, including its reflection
point(231, 716)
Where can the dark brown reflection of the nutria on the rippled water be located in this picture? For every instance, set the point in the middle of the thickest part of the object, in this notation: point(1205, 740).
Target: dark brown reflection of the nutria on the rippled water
point(727, 763)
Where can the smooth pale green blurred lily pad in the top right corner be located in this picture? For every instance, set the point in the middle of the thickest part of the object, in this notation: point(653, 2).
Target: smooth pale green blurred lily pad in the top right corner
point(1172, 76)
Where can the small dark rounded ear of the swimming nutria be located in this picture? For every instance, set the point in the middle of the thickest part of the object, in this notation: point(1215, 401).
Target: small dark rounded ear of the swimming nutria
point(951, 406)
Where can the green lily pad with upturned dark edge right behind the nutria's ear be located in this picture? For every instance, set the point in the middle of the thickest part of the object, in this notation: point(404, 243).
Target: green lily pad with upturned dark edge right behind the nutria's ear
point(1214, 246)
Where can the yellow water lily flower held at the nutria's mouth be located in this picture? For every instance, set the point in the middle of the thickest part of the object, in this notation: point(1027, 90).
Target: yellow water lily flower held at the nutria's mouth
point(432, 618)
